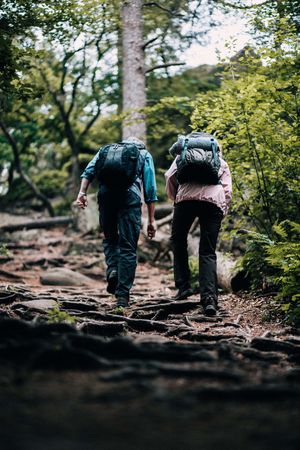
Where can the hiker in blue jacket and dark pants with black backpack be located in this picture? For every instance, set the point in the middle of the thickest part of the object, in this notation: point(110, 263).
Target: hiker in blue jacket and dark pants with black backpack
point(121, 169)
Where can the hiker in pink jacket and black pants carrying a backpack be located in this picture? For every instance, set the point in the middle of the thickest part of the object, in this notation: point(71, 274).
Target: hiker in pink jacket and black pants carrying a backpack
point(199, 183)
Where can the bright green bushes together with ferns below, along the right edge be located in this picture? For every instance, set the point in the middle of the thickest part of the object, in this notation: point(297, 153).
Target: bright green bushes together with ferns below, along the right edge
point(255, 115)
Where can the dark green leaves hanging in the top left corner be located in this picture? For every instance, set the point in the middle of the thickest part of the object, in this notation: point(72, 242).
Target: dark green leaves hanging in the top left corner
point(19, 20)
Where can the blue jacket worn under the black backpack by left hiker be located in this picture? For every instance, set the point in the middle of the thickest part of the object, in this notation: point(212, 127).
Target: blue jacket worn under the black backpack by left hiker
point(145, 176)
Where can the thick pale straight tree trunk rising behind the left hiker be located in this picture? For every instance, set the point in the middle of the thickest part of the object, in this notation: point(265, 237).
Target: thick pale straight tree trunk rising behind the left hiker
point(134, 91)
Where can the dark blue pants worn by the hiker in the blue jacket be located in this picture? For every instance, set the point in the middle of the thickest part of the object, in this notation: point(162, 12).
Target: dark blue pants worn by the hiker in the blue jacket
point(121, 227)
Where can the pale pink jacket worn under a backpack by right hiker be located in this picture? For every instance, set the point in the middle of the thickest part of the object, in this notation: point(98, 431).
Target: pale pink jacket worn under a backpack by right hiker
point(219, 194)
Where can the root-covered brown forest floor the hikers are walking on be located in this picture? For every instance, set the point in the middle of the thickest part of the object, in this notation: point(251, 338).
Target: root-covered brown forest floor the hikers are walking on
point(160, 376)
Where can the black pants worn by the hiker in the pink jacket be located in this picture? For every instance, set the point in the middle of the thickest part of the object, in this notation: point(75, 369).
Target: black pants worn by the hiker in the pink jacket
point(210, 217)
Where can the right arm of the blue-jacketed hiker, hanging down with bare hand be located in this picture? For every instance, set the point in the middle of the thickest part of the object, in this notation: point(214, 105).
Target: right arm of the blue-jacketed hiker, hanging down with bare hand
point(150, 196)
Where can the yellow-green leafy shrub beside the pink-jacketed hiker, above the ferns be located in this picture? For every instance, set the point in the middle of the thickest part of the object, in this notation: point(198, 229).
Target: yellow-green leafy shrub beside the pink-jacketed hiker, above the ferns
point(255, 115)
